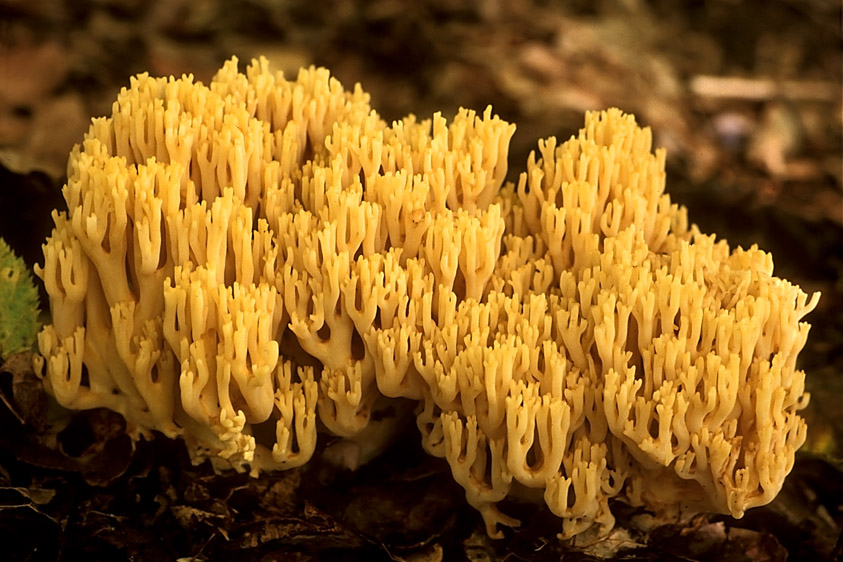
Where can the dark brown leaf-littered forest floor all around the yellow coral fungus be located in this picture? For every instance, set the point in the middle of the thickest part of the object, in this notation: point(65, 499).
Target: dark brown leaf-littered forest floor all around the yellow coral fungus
point(746, 96)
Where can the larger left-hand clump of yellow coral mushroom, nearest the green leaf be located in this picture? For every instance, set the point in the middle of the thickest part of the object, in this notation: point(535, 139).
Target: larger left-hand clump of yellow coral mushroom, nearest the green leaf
point(237, 254)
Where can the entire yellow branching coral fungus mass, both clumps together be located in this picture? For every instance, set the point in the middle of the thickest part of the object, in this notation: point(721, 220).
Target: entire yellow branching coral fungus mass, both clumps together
point(249, 263)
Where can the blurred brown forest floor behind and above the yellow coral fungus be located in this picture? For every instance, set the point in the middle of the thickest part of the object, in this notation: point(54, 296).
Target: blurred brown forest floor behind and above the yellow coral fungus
point(745, 95)
